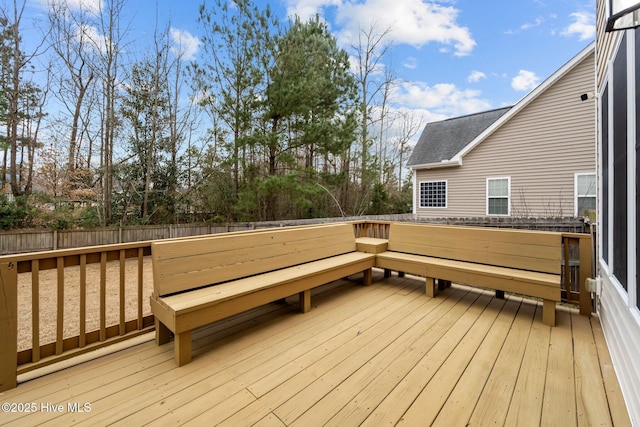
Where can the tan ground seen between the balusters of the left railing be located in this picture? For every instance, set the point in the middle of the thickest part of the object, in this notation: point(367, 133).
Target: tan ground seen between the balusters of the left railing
point(48, 297)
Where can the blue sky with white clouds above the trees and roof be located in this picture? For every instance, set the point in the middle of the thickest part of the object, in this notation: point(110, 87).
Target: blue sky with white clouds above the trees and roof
point(452, 57)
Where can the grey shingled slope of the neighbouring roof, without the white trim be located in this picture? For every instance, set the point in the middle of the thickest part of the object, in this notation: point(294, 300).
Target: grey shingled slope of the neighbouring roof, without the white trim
point(441, 141)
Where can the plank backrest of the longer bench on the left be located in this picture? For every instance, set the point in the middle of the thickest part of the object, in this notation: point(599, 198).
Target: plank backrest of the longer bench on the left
point(180, 265)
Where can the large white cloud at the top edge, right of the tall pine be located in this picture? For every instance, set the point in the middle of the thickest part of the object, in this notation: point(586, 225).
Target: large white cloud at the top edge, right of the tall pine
point(413, 22)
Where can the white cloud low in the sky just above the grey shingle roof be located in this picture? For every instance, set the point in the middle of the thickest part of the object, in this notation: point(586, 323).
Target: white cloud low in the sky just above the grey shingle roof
point(441, 100)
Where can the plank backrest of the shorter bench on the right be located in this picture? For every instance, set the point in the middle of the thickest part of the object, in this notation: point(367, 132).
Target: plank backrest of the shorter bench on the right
point(523, 249)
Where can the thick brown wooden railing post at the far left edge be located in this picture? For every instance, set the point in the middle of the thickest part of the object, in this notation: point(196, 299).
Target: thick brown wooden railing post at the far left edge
point(8, 325)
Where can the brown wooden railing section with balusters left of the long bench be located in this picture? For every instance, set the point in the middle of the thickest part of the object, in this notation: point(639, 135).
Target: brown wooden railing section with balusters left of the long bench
point(31, 268)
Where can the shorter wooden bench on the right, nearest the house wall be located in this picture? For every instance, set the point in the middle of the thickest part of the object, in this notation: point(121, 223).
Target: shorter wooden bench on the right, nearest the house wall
point(519, 261)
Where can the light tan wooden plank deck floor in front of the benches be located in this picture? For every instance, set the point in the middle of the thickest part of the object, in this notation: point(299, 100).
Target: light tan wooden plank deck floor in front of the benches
point(383, 354)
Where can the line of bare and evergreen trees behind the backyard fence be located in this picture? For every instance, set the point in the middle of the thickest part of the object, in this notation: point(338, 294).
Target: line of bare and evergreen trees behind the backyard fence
point(270, 120)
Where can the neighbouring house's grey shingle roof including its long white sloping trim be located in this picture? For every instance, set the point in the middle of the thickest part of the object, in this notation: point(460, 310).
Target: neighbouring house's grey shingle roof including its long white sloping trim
point(431, 152)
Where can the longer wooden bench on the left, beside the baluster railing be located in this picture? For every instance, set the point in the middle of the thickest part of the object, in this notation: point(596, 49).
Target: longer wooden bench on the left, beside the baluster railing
point(198, 281)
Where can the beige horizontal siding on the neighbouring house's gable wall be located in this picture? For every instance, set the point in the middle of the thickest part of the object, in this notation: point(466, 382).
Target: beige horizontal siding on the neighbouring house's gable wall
point(540, 148)
